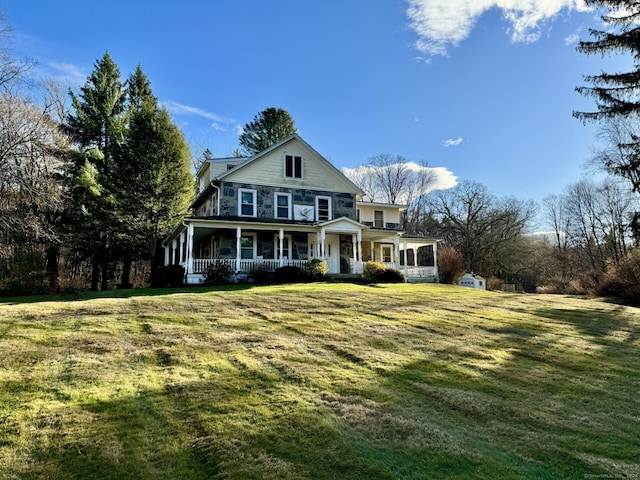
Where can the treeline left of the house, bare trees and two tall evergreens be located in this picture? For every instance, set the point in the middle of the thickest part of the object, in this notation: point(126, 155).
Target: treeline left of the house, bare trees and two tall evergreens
point(90, 182)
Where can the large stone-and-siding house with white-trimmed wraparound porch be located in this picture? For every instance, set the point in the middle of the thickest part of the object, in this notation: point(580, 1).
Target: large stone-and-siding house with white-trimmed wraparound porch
point(286, 206)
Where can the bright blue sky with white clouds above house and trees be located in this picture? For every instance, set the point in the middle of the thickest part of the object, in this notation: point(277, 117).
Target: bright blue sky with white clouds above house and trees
point(481, 89)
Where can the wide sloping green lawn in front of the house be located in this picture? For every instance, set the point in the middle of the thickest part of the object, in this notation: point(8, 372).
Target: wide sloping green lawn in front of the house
point(318, 381)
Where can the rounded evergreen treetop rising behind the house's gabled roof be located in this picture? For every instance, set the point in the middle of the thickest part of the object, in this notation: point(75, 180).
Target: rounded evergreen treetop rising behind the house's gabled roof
point(267, 128)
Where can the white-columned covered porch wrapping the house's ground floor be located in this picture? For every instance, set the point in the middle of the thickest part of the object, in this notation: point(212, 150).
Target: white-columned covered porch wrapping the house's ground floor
point(250, 246)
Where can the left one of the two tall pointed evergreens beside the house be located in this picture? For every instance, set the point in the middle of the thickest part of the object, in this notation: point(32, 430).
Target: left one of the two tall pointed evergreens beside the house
point(97, 128)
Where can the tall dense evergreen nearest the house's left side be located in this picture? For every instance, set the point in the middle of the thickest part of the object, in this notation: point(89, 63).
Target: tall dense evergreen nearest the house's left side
point(156, 162)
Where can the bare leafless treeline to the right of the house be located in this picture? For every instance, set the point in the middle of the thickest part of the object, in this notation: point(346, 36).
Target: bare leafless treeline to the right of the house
point(582, 240)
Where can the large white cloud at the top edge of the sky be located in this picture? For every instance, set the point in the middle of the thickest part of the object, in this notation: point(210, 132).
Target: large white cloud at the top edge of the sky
point(441, 24)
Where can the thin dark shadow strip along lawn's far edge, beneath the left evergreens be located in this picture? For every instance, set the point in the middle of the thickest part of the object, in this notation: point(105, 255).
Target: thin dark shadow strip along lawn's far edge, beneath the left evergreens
point(125, 293)
